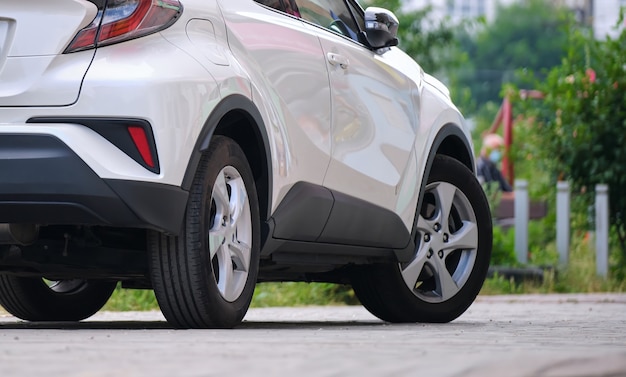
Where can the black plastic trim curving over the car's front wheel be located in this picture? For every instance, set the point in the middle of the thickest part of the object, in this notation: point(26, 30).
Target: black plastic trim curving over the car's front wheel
point(445, 133)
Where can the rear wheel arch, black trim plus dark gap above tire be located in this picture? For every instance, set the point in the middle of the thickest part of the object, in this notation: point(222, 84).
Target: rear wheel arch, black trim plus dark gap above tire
point(237, 117)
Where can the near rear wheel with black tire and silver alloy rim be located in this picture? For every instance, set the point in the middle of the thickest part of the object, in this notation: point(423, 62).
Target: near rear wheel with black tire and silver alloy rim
point(198, 284)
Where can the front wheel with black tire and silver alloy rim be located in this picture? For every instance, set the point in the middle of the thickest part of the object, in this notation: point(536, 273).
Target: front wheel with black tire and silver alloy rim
point(451, 259)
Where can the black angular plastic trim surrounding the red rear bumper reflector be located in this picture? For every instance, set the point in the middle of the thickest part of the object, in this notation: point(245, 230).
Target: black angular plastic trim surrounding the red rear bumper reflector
point(115, 130)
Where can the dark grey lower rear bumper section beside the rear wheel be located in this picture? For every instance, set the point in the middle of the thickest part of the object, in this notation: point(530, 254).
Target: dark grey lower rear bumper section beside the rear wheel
point(42, 181)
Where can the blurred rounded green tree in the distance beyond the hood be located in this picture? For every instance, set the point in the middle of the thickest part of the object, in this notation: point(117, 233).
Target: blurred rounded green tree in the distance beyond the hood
point(525, 35)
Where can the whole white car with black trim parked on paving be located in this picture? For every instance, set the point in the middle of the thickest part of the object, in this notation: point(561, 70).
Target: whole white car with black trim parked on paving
point(197, 147)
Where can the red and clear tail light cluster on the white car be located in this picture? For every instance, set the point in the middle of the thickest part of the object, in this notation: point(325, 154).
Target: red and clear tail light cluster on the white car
point(121, 20)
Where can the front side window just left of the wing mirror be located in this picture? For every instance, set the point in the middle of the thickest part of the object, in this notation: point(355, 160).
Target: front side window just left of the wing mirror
point(330, 14)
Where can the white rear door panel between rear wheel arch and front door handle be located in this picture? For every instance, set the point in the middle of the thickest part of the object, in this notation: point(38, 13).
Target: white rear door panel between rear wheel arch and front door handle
point(288, 72)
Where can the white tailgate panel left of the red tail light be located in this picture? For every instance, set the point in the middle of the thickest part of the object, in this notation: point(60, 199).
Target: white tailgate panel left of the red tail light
point(32, 70)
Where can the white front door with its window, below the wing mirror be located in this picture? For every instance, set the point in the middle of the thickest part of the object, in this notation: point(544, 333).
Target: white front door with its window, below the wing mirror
point(374, 111)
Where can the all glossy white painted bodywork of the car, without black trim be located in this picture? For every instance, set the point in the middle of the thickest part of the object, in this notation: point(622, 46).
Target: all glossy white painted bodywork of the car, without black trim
point(364, 129)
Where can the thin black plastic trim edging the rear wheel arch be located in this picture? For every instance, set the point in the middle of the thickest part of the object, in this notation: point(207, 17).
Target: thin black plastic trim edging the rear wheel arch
point(246, 107)
